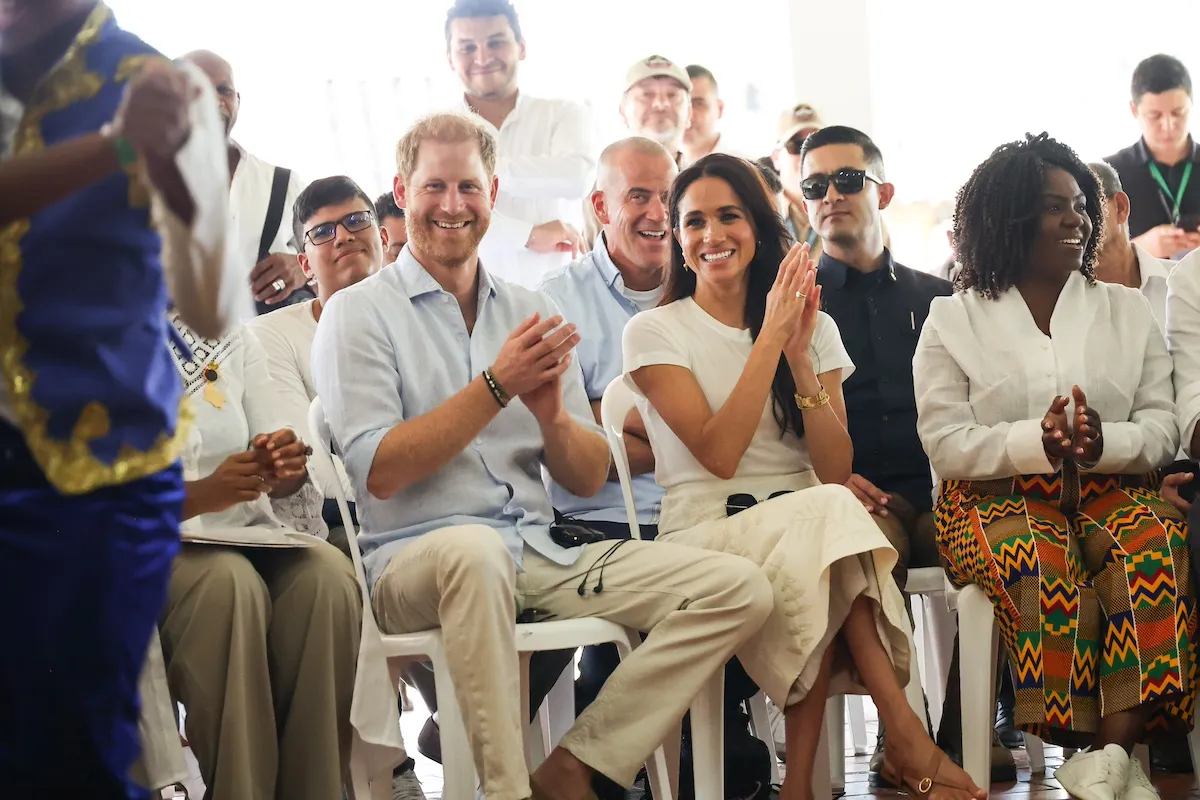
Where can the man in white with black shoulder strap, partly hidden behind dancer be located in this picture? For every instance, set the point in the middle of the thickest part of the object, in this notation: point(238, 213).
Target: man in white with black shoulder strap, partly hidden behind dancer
point(261, 196)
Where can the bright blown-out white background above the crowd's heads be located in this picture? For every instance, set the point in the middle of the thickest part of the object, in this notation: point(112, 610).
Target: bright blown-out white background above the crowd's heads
point(328, 88)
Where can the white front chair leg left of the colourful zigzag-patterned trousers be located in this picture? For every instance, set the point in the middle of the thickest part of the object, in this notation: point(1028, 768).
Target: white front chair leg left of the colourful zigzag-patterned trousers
point(980, 640)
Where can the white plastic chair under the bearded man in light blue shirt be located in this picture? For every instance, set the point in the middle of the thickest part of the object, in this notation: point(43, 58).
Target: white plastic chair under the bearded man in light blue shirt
point(458, 761)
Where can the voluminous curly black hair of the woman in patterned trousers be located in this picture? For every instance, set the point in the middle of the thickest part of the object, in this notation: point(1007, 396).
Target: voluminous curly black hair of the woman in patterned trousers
point(997, 213)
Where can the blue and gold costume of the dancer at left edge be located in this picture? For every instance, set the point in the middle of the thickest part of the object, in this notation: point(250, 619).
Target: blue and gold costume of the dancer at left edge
point(91, 490)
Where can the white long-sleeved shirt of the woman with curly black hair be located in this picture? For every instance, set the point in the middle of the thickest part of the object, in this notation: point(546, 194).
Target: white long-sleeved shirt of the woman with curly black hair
point(985, 377)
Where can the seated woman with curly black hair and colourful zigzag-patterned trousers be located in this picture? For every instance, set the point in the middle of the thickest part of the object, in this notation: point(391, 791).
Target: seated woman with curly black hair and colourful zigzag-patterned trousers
point(1045, 402)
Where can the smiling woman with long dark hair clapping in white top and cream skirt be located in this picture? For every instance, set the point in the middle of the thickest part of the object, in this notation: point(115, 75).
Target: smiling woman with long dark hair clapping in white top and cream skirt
point(740, 377)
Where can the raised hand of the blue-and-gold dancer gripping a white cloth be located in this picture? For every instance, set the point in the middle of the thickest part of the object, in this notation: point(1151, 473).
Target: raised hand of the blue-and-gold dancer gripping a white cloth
point(154, 116)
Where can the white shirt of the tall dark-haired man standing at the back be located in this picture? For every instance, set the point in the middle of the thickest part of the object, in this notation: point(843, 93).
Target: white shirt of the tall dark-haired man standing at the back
point(547, 166)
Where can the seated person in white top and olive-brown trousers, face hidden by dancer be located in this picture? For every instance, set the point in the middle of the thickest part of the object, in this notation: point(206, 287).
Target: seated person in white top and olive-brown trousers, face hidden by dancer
point(263, 630)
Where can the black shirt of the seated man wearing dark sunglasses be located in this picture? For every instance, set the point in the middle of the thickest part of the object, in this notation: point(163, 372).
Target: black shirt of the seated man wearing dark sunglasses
point(880, 316)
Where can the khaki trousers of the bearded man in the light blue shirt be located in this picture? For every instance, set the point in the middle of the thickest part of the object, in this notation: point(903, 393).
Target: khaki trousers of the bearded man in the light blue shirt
point(698, 607)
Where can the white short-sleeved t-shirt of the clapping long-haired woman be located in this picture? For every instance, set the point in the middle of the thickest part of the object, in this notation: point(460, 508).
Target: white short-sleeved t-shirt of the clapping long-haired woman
point(682, 334)
